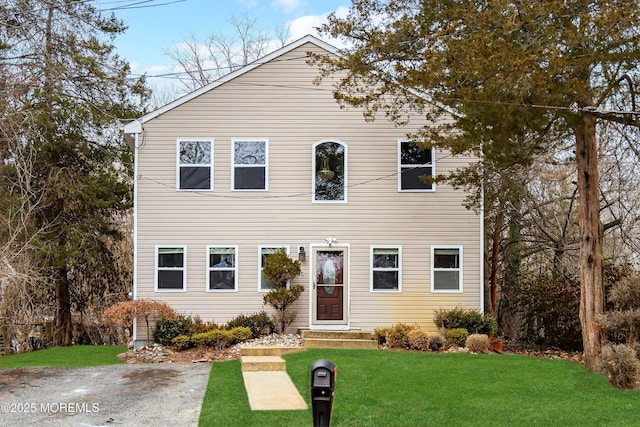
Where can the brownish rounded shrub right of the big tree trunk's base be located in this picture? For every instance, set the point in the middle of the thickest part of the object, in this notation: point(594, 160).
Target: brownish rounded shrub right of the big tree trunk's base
point(620, 364)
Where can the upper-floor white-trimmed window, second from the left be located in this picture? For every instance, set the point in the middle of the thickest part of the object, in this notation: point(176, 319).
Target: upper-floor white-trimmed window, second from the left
point(249, 164)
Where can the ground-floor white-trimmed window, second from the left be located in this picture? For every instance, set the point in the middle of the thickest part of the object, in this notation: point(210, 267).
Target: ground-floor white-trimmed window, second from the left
point(222, 268)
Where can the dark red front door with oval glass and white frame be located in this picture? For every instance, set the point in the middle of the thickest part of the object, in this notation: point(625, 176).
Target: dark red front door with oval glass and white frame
point(330, 286)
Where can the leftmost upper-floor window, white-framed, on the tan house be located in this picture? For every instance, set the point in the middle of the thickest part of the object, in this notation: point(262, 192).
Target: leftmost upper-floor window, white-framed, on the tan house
point(195, 164)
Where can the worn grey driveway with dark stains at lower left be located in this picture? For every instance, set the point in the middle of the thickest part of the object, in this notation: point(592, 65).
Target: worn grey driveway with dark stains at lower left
point(118, 395)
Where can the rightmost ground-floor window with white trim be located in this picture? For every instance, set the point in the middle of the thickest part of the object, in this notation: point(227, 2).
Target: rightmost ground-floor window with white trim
point(446, 268)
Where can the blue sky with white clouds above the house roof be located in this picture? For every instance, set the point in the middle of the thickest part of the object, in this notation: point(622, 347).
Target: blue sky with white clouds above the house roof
point(155, 26)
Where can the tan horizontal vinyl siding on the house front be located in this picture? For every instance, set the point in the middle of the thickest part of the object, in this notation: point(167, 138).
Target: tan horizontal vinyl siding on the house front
point(278, 102)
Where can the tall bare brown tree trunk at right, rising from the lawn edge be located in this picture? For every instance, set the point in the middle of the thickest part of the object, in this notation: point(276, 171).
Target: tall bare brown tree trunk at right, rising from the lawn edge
point(591, 258)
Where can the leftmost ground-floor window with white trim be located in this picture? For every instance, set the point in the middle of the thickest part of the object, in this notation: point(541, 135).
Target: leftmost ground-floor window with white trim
point(171, 270)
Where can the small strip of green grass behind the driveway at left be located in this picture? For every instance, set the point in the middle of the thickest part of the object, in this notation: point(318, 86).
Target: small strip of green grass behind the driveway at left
point(75, 356)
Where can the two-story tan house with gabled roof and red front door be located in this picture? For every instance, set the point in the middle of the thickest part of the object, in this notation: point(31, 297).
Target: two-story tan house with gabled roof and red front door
point(262, 159)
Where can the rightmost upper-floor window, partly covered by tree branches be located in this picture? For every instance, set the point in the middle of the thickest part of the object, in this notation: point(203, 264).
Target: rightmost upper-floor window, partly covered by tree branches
point(415, 164)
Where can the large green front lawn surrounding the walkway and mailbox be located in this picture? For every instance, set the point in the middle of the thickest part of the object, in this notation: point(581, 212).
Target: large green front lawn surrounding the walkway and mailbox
point(384, 388)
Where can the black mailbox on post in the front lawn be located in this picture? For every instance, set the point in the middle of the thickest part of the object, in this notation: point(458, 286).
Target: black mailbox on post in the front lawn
point(323, 383)
